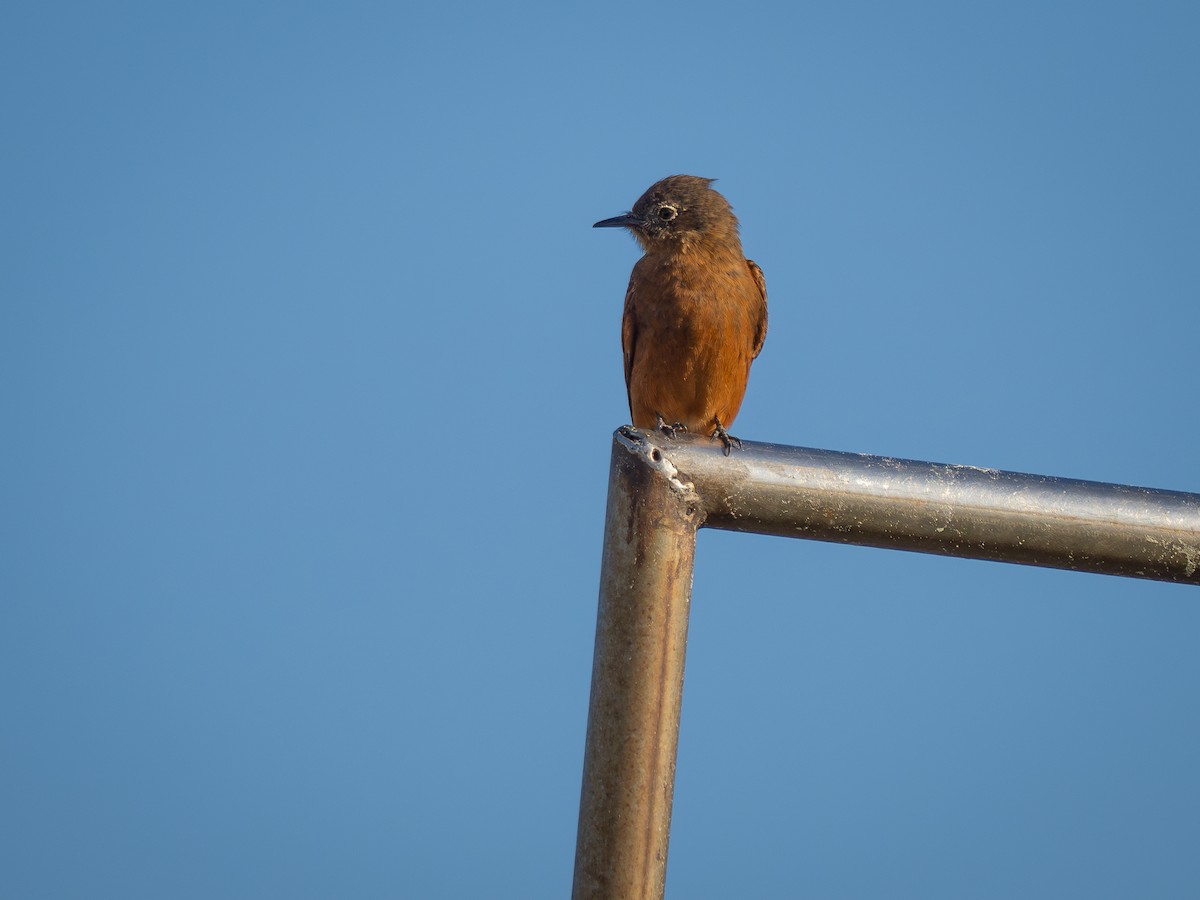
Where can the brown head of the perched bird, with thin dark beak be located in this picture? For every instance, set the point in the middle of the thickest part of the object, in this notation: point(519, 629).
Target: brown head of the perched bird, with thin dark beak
point(679, 211)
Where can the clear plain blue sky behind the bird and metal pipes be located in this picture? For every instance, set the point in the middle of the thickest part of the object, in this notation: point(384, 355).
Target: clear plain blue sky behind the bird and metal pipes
point(310, 367)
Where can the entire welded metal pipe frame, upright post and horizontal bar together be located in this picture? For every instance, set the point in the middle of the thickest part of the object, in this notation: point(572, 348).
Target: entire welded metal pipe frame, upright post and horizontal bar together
point(661, 491)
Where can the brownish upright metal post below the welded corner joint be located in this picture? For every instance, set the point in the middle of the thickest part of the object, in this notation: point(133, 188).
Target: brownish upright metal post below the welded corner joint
point(650, 548)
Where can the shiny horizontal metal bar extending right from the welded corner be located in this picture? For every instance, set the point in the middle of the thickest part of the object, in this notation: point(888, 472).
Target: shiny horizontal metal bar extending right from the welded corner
point(933, 508)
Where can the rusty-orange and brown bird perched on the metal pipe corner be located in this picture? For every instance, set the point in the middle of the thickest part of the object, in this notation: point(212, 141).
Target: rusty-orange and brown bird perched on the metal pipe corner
point(695, 311)
